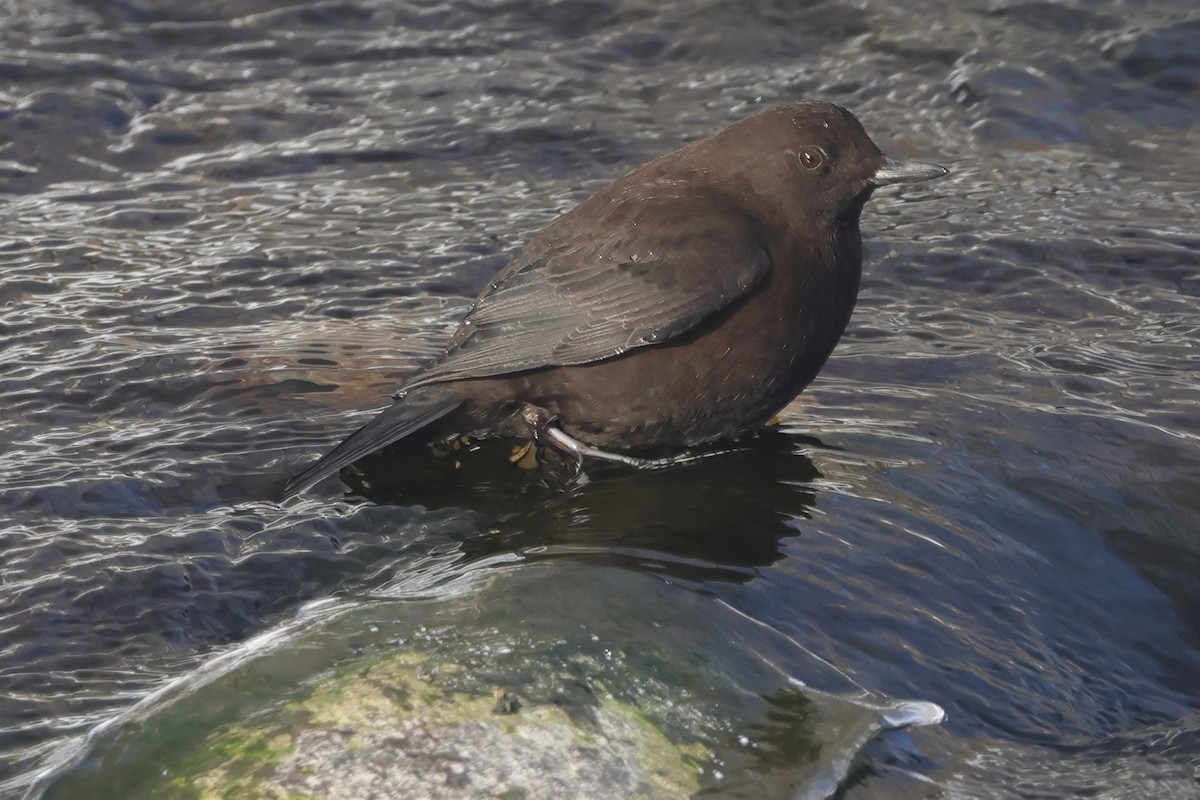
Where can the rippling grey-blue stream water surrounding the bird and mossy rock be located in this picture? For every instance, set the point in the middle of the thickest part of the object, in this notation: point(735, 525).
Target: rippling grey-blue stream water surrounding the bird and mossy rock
point(230, 230)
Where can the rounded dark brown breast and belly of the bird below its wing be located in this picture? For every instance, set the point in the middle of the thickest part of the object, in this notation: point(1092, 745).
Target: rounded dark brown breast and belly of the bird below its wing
point(730, 375)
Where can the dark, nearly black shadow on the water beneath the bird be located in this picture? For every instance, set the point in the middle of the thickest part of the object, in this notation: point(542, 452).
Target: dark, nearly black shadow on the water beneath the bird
point(719, 518)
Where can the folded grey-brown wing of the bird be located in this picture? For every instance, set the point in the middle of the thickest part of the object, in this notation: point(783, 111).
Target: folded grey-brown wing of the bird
point(569, 299)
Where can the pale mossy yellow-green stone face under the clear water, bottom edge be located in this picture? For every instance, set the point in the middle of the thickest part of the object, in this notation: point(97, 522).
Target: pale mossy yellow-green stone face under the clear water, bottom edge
point(398, 730)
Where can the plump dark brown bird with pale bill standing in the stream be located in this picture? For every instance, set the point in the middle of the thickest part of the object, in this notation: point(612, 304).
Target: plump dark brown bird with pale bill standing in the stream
point(682, 305)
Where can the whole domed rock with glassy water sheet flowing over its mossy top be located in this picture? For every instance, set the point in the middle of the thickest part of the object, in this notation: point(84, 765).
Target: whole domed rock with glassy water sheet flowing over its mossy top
point(493, 689)
